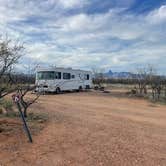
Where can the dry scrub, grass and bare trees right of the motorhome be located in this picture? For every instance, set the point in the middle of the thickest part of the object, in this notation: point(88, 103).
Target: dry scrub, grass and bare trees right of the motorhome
point(146, 84)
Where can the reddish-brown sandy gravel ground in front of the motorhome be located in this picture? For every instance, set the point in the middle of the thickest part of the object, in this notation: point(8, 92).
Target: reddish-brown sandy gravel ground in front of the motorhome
point(91, 129)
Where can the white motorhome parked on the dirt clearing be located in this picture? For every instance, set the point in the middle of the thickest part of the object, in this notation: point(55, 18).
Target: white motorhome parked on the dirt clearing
point(55, 79)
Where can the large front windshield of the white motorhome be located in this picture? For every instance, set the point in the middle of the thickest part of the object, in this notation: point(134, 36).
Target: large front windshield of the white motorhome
point(46, 75)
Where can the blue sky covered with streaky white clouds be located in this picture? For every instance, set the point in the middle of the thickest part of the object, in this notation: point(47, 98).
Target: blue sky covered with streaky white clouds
point(121, 35)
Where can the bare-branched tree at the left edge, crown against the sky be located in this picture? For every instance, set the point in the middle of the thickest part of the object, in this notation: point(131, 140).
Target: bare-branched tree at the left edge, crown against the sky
point(10, 53)
